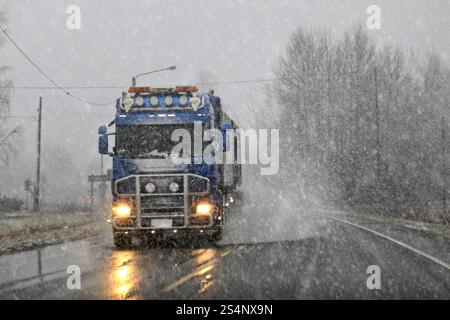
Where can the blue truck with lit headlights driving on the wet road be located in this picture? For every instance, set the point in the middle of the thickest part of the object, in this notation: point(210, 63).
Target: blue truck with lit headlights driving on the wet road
point(154, 196)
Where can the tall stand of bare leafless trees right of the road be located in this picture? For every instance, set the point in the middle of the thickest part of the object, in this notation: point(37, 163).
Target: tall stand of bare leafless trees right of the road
point(368, 119)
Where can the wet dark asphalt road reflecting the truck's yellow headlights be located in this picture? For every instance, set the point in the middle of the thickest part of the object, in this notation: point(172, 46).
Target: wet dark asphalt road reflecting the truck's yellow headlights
point(316, 257)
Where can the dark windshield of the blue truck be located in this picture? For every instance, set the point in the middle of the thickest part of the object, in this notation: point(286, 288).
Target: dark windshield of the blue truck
point(149, 141)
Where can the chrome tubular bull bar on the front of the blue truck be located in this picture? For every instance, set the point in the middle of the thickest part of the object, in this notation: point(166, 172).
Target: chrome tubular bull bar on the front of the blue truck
point(184, 210)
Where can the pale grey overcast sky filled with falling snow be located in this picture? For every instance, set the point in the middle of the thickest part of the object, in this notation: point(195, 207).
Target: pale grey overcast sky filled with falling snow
point(232, 40)
